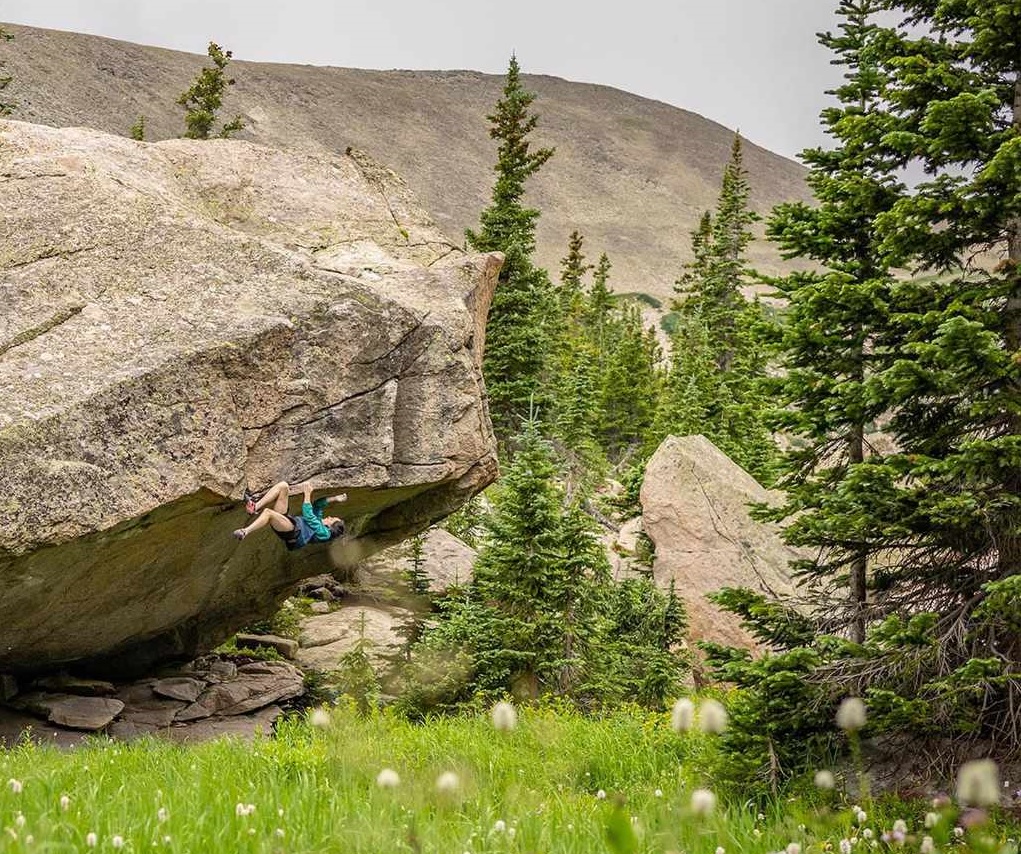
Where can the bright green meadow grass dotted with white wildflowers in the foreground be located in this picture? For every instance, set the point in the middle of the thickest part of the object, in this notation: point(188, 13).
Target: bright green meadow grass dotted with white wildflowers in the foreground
point(315, 791)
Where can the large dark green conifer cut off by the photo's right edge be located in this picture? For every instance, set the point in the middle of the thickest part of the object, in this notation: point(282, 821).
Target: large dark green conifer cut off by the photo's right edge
point(949, 504)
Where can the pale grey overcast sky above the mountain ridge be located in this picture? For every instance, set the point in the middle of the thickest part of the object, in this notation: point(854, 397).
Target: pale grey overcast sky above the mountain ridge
point(752, 65)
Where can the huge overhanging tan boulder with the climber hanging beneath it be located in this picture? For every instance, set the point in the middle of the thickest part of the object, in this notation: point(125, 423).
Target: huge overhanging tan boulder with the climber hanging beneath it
point(184, 319)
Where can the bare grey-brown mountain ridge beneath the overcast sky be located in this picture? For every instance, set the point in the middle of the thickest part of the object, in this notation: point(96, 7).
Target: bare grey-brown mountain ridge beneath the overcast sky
point(634, 175)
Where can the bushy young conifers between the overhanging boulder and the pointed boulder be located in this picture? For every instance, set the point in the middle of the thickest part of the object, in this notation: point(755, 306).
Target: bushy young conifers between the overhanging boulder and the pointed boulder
point(542, 615)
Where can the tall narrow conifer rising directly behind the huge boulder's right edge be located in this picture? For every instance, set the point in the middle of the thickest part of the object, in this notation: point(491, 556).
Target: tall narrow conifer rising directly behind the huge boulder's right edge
point(517, 334)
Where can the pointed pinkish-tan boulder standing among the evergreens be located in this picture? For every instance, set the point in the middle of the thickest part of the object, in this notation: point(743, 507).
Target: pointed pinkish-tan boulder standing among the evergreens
point(696, 510)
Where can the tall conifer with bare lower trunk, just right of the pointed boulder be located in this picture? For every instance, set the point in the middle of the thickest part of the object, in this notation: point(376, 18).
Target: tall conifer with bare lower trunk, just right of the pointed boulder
point(834, 320)
